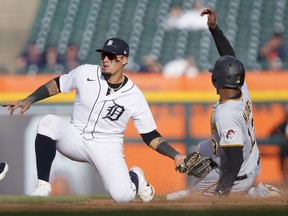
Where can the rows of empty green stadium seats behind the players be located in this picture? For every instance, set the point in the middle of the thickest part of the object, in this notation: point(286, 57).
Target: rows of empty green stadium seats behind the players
point(247, 24)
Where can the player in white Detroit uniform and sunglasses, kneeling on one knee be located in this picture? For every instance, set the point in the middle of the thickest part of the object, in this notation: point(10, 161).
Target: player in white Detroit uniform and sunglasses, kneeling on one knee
point(105, 101)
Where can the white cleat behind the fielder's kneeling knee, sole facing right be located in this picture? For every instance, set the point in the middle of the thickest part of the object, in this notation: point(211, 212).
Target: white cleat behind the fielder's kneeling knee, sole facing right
point(146, 191)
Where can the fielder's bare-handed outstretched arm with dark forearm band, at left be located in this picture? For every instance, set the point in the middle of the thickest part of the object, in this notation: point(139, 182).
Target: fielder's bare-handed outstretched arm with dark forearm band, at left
point(48, 89)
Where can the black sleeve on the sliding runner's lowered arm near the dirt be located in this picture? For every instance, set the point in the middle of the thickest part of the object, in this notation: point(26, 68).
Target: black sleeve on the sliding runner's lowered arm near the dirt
point(230, 170)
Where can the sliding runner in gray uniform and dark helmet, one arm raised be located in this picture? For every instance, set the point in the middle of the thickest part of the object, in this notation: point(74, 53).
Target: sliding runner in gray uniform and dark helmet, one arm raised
point(232, 147)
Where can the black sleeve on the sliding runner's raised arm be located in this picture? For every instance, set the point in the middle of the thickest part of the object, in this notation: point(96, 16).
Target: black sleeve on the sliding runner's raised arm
point(222, 44)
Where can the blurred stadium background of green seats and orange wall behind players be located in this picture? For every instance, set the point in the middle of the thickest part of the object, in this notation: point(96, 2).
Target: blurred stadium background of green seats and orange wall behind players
point(87, 23)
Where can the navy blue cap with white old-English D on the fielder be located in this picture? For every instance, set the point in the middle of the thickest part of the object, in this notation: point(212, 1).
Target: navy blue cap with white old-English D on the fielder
point(115, 46)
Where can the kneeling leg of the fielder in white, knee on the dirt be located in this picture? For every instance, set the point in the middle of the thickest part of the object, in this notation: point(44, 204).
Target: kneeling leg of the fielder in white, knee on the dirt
point(108, 159)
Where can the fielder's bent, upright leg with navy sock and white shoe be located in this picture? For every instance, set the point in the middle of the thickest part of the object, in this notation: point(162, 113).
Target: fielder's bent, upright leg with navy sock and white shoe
point(52, 132)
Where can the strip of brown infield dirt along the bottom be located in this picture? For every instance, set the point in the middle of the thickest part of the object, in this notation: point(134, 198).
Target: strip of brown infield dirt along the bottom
point(16, 205)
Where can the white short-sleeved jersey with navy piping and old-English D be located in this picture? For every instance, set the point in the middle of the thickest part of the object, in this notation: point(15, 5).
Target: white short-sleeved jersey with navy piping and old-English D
point(96, 114)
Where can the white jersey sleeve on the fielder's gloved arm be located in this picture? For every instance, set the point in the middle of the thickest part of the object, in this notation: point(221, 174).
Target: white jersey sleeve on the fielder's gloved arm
point(143, 119)
